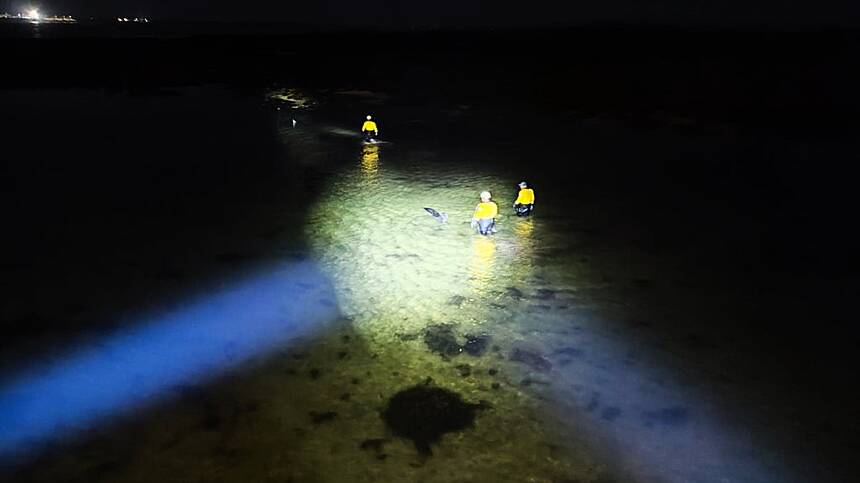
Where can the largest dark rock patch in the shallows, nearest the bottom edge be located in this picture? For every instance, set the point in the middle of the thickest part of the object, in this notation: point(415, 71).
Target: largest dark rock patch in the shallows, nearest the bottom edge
point(424, 413)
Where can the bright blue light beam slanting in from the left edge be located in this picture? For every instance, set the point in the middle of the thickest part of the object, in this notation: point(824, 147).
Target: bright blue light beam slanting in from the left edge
point(187, 344)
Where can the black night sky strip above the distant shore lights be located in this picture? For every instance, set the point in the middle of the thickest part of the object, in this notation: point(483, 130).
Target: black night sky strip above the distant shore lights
point(475, 13)
